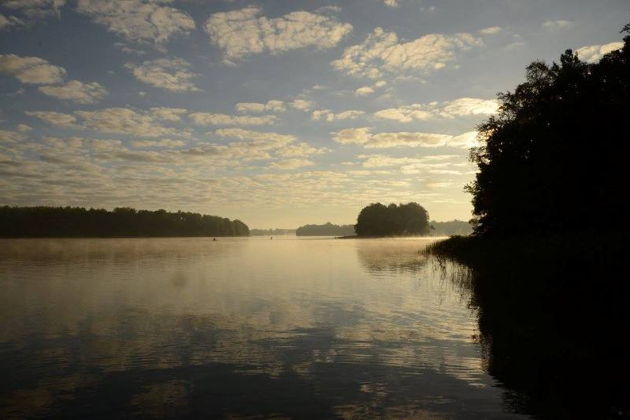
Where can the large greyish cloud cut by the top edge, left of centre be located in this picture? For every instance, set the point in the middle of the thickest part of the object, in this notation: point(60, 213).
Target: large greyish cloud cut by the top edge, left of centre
point(138, 20)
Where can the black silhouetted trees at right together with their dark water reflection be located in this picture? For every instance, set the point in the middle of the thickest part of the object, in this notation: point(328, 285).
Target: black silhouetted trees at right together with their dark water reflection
point(546, 275)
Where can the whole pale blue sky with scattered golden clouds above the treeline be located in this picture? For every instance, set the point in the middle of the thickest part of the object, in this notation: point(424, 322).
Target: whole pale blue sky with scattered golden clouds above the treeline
point(278, 113)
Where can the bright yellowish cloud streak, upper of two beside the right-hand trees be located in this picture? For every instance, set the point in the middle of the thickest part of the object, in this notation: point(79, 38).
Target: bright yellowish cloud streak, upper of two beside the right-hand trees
point(461, 107)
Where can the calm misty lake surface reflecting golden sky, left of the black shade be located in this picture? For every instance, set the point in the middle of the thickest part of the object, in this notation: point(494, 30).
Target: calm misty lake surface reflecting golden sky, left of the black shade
point(297, 328)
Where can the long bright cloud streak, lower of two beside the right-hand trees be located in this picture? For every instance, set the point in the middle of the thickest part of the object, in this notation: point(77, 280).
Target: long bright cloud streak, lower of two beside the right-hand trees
point(363, 136)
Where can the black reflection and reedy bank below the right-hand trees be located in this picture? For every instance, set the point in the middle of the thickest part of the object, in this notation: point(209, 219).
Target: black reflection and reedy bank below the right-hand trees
point(552, 314)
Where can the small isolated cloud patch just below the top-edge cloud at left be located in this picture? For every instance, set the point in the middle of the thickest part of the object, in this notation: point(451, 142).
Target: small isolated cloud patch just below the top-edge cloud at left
point(163, 73)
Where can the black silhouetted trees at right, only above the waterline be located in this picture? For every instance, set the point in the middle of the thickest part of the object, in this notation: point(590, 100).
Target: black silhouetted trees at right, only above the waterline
point(554, 157)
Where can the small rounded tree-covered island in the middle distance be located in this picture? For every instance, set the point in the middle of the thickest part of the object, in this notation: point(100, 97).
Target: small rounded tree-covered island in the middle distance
point(393, 220)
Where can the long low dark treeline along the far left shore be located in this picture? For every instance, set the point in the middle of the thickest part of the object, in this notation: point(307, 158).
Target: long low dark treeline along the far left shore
point(29, 222)
